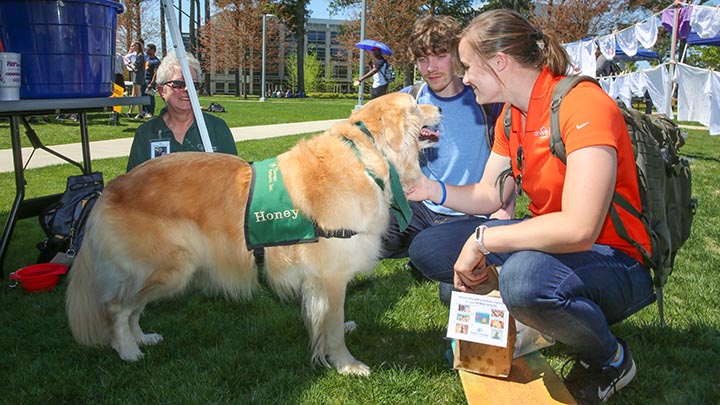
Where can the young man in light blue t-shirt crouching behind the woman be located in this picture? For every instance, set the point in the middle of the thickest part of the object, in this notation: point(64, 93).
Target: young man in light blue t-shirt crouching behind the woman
point(458, 157)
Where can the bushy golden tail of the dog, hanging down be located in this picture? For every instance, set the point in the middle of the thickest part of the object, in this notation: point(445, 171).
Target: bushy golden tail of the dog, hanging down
point(86, 316)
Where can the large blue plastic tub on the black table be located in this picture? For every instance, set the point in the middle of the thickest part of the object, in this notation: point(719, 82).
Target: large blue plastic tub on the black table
point(67, 46)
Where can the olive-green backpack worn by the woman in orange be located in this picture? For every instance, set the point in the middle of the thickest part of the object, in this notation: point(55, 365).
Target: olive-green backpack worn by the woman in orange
point(664, 180)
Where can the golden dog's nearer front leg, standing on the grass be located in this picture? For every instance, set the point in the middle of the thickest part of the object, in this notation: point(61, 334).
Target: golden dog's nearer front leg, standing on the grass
point(323, 308)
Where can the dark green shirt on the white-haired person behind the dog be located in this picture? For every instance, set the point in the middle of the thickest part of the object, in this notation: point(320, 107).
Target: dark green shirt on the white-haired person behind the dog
point(218, 131)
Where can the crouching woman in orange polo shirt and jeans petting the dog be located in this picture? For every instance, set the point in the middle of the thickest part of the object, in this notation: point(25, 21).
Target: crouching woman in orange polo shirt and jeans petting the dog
point(565, 271)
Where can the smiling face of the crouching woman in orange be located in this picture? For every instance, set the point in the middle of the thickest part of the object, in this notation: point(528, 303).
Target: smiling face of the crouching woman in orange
point(479, 76)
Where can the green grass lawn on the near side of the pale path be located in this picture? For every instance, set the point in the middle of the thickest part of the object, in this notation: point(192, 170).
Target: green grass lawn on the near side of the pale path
point(218, 351)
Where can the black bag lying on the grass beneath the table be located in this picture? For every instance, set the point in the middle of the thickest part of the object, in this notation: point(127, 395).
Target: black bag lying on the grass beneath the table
point(64, 221)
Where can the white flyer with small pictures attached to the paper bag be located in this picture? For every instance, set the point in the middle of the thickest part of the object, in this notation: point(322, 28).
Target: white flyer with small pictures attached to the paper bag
point(478, 318)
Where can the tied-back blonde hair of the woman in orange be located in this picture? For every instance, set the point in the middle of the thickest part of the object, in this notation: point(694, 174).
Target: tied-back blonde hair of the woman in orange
point(509, 32)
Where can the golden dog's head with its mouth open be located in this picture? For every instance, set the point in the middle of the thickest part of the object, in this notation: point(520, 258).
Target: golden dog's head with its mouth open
point(400, 127)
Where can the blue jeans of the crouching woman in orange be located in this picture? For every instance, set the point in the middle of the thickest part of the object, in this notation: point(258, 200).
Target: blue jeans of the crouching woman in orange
point(572, 297)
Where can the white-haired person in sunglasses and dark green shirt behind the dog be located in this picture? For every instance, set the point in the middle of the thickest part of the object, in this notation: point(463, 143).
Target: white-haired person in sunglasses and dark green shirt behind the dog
point(175, 129)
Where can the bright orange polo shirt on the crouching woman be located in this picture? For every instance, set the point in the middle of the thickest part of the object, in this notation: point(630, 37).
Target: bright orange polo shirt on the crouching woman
point(588, 117)
